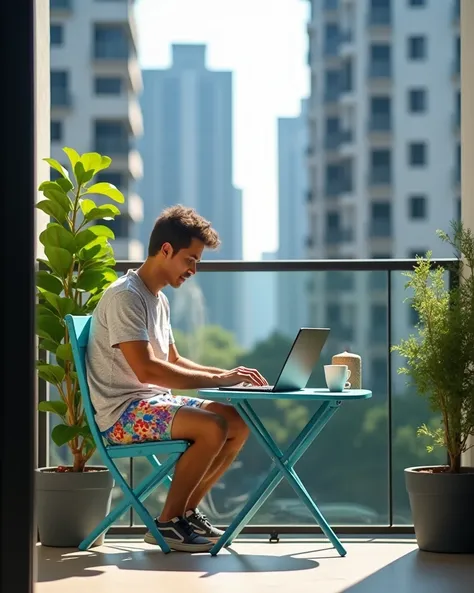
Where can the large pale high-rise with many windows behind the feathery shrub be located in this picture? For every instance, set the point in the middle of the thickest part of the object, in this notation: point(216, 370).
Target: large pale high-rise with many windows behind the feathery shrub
point(384, 156)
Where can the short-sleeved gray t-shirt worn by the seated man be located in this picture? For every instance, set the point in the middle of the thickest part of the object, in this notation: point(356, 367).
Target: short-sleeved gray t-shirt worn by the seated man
point(127, 311)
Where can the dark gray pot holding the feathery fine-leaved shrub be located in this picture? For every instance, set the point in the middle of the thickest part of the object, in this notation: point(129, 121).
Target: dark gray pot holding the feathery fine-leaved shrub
point(442, 509)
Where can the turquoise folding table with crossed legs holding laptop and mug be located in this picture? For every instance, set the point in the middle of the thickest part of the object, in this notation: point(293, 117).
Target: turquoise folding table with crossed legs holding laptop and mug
point(283, 465)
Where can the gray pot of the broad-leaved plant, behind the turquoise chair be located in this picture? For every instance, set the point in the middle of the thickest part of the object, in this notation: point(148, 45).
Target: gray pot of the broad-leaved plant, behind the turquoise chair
point(70, 504)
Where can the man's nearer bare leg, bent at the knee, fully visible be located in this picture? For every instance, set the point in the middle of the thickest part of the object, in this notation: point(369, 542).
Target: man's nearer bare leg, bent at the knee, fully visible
point(209, 435)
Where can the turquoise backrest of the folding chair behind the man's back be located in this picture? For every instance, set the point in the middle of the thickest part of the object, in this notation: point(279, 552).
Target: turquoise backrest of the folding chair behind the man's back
point(79, 327)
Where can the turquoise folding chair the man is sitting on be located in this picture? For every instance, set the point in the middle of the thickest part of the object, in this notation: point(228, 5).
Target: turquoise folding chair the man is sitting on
point(78, 327)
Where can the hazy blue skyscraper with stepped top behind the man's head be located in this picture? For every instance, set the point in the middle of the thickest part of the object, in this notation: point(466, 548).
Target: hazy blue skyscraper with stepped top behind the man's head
point(187, 155)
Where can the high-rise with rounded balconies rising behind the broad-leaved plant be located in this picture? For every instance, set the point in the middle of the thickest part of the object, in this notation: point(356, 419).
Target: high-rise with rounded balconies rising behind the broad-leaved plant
point(95, 84)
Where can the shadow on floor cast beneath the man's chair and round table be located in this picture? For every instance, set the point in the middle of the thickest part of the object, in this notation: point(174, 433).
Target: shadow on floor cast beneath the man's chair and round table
point(55, 564)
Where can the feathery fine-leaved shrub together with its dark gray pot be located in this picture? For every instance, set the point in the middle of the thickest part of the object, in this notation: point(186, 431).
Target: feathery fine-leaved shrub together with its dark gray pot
point(440, 362)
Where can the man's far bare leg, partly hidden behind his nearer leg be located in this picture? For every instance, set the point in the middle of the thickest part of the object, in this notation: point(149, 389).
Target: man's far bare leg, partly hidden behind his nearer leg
point(237, 435)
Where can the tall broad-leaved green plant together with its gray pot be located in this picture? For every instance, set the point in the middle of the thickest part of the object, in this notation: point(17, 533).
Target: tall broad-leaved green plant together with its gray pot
point(78, 265)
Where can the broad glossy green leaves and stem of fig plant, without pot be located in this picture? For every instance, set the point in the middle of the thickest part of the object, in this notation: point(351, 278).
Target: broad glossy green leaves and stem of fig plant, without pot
point(77, 267)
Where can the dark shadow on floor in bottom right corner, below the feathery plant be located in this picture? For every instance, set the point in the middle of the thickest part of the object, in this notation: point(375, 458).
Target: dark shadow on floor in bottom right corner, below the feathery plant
point(421, 572)
